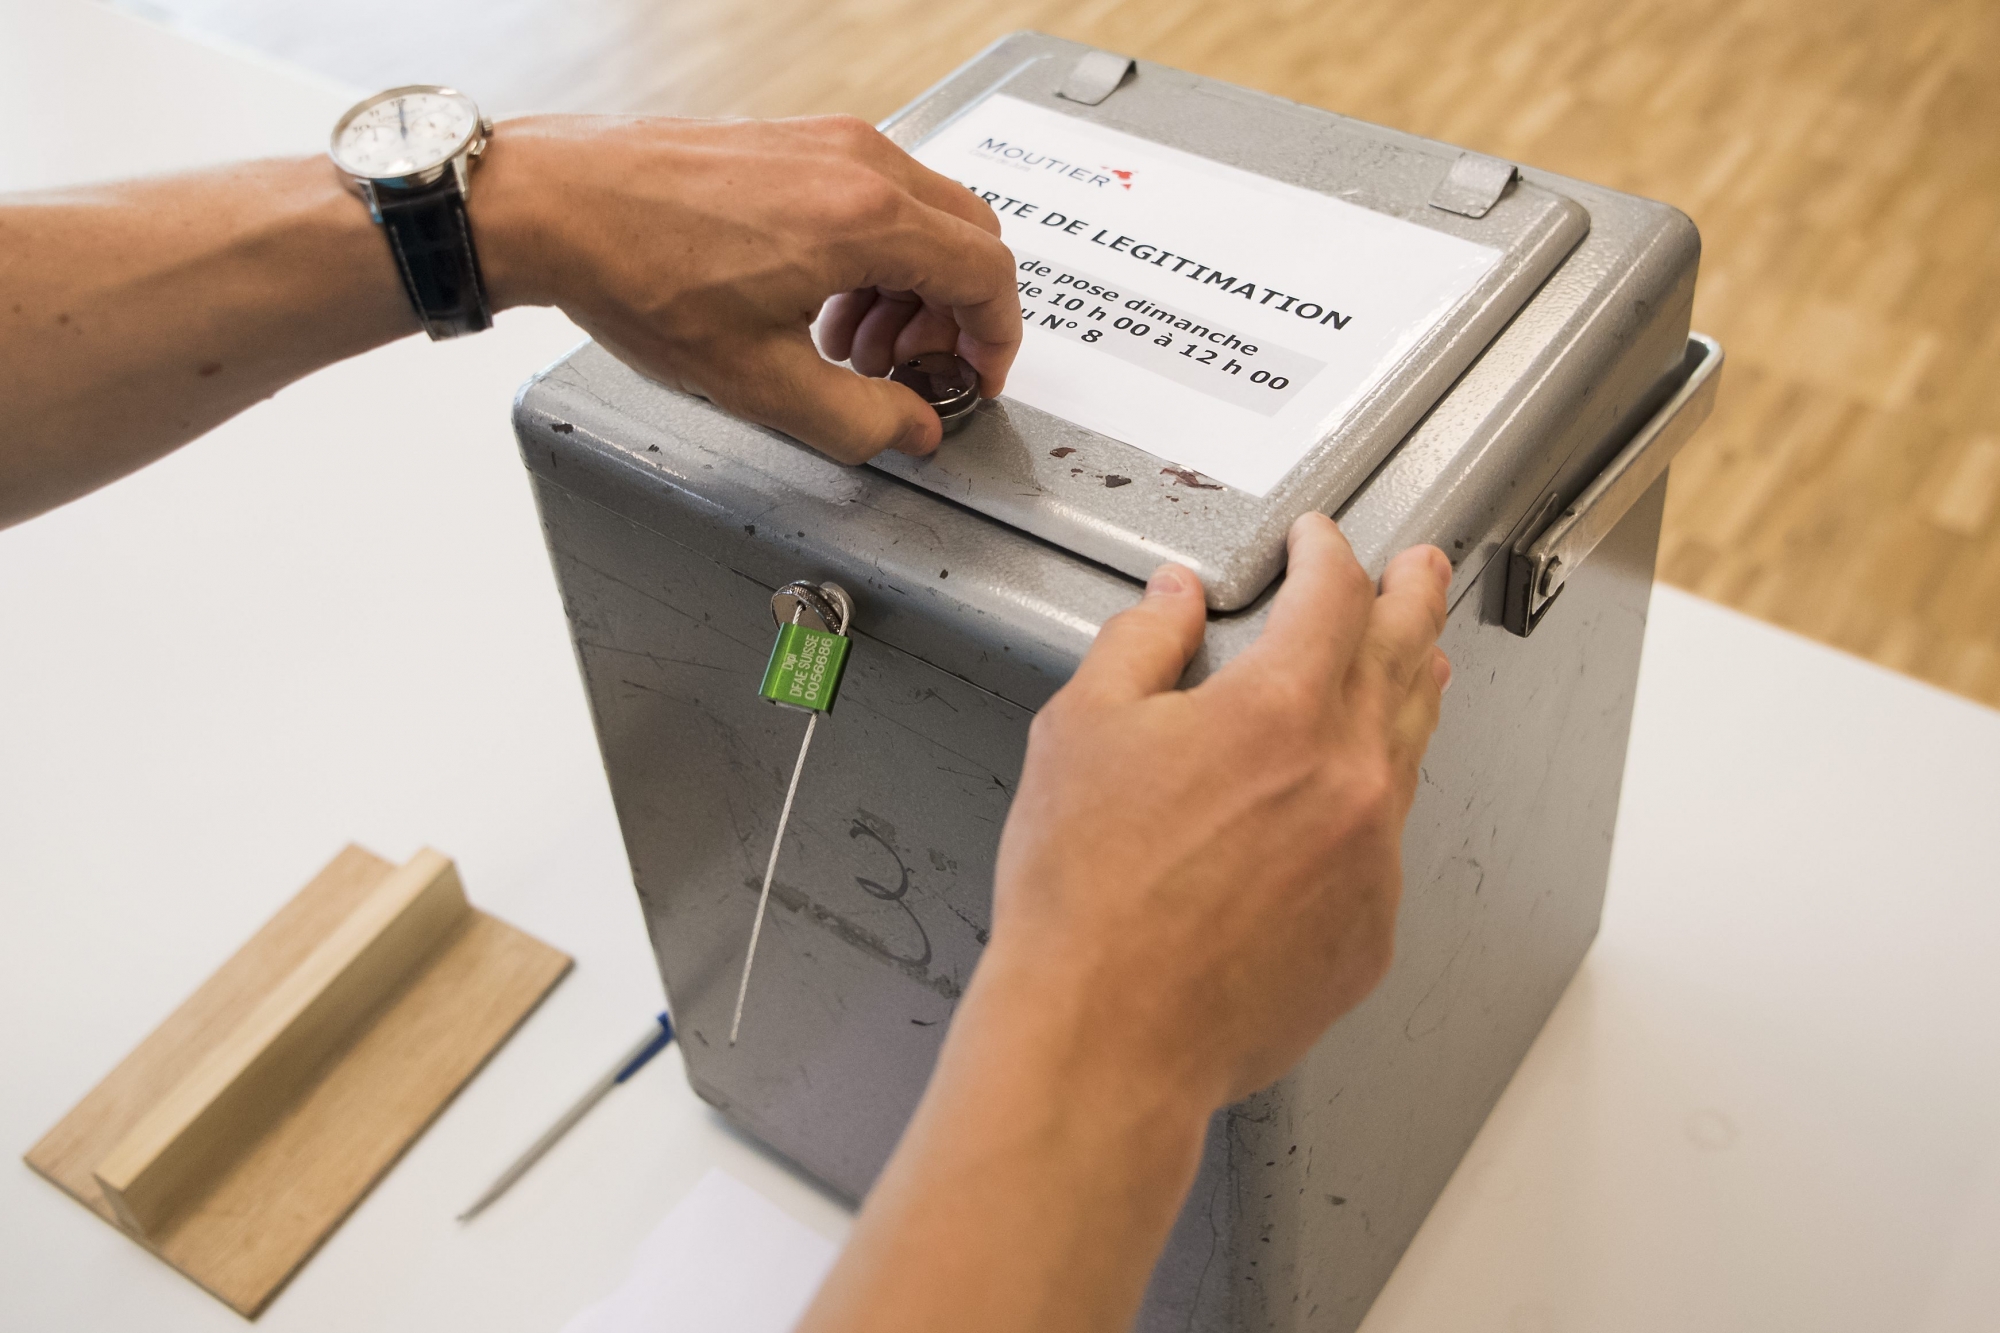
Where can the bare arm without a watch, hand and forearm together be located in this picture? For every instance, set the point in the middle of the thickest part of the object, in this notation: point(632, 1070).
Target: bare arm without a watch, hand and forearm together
point(1191, 888)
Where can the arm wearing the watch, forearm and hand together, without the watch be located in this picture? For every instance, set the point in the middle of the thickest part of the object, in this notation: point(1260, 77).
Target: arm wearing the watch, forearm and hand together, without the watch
point(135, 317)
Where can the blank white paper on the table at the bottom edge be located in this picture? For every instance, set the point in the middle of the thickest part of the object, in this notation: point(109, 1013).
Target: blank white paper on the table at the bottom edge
point(727, 1260)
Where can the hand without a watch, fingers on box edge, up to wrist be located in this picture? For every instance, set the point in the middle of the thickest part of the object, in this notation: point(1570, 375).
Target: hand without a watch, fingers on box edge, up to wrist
point(1195, 884)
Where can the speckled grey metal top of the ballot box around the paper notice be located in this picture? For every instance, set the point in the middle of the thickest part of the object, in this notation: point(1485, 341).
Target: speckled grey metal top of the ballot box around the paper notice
point(1505, 409)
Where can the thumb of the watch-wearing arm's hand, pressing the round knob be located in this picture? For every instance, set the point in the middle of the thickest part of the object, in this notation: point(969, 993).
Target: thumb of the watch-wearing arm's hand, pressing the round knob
point(785, 383)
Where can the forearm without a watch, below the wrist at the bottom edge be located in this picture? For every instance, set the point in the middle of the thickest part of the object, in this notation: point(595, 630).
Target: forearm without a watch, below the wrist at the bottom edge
point(1035, 1186)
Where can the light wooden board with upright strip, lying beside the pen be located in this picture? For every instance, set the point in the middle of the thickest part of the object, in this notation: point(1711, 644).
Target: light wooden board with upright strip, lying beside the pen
point(247, 1126)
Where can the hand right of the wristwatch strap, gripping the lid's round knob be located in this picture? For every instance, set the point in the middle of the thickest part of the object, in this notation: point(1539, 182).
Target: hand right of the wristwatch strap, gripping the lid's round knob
point(703, 251)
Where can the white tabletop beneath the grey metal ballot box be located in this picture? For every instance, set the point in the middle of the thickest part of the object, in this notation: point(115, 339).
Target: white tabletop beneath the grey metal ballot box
point(1769, 1102)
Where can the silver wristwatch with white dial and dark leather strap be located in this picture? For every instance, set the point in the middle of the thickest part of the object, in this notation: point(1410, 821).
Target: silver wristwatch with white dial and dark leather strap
point(411, 153)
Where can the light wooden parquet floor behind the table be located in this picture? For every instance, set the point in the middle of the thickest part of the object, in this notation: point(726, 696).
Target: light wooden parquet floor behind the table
point(1843, 161)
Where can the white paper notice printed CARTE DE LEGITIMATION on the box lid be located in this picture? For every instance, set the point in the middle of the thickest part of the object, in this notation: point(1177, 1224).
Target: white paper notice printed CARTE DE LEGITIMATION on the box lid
point(1213, 317)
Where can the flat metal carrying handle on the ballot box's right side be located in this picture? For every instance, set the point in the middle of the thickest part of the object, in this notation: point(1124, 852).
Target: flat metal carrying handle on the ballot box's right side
point(1545, 559)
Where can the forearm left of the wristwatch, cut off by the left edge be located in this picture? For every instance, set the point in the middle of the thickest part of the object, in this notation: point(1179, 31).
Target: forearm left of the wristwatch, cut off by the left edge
point(141, 315)
